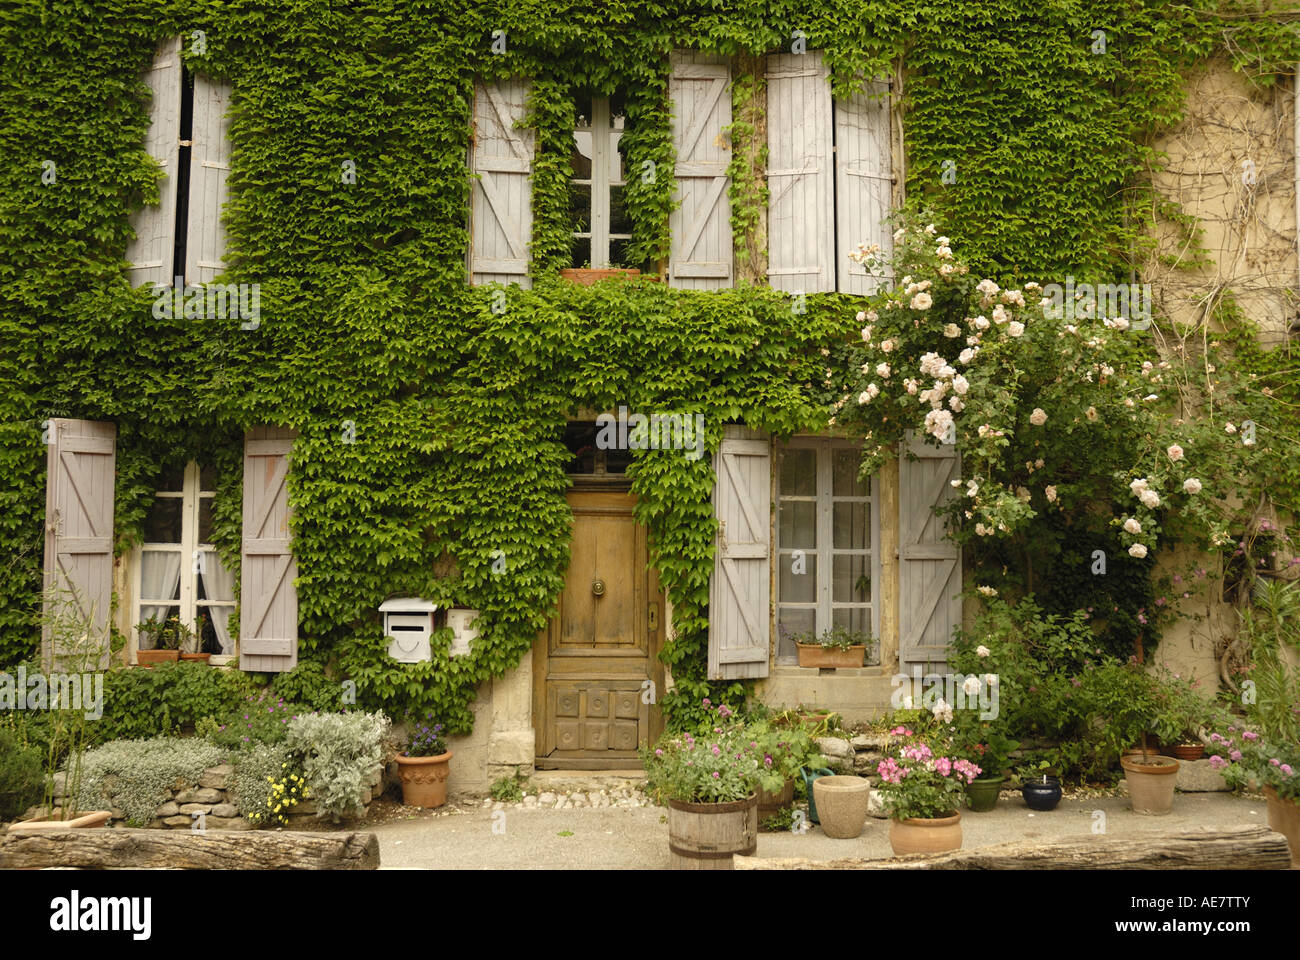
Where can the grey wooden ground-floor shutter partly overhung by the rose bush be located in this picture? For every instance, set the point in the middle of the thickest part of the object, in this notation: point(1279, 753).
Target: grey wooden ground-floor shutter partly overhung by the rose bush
point(930, 567)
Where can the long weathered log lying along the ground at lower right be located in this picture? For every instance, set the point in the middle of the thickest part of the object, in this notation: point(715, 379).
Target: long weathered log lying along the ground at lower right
point(1210, 849)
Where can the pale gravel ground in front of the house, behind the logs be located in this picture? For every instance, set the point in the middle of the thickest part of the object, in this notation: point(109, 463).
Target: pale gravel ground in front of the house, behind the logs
point(627, 833)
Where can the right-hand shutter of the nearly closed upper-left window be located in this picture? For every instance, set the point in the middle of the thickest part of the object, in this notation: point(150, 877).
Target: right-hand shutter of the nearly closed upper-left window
point(210, 170)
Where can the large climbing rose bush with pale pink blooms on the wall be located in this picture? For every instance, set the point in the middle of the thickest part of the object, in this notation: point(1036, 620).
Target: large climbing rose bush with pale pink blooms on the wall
point(1050, 413)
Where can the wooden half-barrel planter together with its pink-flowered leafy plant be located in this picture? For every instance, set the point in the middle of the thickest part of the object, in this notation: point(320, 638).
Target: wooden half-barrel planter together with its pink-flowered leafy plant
point(712, 788)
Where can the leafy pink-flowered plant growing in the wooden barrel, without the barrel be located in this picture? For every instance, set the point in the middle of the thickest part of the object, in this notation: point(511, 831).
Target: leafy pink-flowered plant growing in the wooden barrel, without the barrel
point(717, 766)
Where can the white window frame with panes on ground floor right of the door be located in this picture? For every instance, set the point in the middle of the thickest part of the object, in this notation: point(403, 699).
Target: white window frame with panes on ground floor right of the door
point(826, 551)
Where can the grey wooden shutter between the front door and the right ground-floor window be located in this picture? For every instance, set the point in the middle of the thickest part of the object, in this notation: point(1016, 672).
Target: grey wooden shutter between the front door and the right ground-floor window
point(739, 608)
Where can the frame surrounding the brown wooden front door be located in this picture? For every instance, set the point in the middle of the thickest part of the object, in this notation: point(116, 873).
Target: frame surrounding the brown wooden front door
point(655, 646)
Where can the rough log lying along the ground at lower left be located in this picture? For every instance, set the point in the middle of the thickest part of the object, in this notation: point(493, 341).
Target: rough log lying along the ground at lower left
point(185, 850)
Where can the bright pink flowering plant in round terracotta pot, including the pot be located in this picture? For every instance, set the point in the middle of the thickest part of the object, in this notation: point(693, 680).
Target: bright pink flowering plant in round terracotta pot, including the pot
point(922, 793)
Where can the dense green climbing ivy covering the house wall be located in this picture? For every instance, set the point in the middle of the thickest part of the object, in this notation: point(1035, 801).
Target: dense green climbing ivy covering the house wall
point(458, 409)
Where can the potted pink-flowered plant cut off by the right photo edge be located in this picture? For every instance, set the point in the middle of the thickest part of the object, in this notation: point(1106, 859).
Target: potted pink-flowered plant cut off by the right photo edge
point(1249, 760)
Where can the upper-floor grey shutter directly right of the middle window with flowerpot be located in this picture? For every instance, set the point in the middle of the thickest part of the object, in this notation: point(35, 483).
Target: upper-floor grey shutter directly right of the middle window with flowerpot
point(701, 253)
